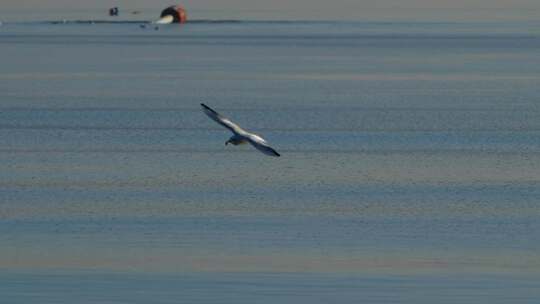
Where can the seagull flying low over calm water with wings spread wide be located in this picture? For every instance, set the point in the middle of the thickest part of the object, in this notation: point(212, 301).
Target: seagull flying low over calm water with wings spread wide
point(240, 136)
